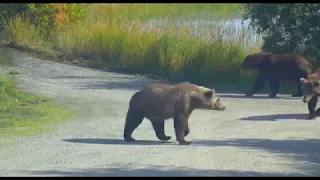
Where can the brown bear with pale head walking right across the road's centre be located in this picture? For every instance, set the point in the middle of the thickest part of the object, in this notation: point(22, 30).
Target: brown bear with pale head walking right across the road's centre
point(159, 102)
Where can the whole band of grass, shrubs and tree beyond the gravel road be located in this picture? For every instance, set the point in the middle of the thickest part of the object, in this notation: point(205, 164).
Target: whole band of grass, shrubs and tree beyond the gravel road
point(203, 43)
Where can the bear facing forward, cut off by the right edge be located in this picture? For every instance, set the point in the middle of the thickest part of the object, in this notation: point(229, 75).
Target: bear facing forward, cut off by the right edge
point(310, 87)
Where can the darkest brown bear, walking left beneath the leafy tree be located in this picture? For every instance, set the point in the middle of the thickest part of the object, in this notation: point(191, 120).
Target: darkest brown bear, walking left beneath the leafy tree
point(277, 67)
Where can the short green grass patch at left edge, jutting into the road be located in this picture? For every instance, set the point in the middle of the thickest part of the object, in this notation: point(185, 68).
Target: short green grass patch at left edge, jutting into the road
point(24, 113)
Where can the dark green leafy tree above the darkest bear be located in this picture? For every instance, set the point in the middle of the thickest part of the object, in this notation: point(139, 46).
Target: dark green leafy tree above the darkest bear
point(293, 27)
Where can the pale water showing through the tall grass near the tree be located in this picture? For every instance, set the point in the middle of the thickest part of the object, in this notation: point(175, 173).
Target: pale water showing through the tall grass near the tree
point(209, 29)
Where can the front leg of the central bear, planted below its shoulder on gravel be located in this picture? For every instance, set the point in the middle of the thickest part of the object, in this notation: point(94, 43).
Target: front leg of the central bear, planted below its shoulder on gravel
point(181, 127)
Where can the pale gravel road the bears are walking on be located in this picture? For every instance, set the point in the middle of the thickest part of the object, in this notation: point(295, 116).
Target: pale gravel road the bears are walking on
point(256, 136)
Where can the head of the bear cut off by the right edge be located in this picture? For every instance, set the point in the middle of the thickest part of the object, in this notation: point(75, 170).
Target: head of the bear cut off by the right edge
point(310, 87)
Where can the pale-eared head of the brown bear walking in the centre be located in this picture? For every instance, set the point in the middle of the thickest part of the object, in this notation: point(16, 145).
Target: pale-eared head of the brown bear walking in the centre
point(210, 100)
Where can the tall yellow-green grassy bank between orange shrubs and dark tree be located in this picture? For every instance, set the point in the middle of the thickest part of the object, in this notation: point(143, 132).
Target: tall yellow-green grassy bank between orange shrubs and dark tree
point(191, 42)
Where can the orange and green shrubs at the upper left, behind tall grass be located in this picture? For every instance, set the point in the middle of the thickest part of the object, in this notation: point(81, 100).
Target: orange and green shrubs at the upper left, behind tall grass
point(45, 15)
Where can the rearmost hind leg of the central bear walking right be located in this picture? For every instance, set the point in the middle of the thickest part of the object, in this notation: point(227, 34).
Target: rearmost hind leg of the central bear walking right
point(133, 120)
